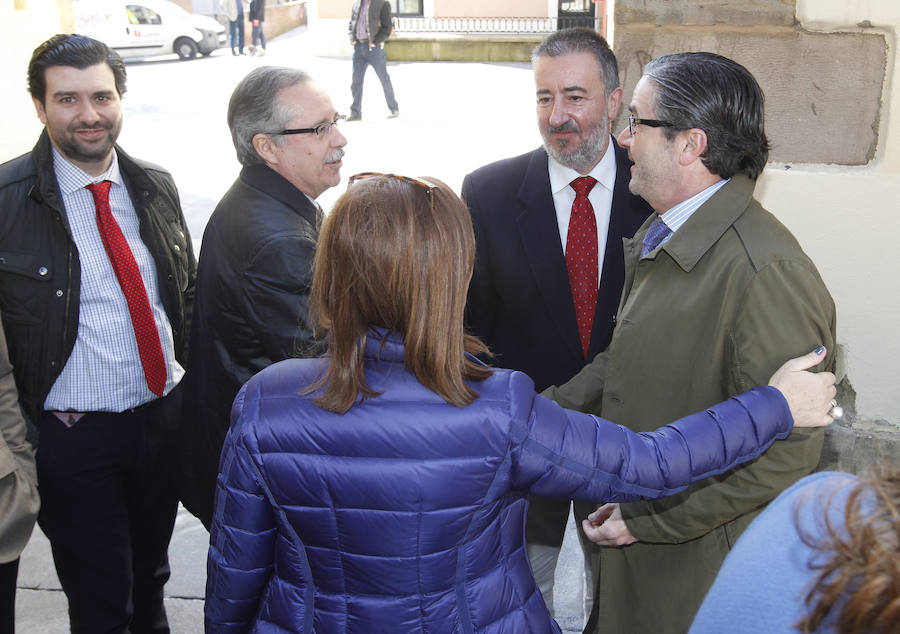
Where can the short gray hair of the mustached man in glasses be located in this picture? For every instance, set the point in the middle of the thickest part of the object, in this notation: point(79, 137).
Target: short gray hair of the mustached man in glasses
point(254, 108)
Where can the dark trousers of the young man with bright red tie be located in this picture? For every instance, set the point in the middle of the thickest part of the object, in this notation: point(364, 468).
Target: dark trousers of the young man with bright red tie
point(108, 507)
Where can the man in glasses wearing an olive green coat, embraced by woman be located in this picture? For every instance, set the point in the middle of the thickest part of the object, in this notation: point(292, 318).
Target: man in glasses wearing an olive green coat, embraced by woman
point(717, 292)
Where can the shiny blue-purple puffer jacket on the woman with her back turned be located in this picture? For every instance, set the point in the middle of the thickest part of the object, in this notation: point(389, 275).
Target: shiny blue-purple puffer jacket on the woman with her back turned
point(406, 514)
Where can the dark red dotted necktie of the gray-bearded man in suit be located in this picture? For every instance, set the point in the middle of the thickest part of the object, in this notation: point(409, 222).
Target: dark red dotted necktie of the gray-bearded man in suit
point(581, 258)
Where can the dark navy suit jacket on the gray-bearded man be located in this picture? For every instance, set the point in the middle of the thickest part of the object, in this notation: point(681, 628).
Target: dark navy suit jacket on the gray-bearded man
point(519, 301)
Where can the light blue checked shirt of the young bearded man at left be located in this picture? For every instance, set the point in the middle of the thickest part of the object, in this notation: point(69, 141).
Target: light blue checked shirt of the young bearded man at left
point(104, 371)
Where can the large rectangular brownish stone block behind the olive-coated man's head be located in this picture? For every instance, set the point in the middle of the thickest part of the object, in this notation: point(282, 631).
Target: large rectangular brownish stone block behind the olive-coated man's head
point(823, 90)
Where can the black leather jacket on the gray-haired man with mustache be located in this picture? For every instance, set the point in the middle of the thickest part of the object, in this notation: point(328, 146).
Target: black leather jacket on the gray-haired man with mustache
point(252, 310)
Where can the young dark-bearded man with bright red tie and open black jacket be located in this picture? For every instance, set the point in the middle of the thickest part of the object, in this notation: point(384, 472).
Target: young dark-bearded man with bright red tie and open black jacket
point(96, 286)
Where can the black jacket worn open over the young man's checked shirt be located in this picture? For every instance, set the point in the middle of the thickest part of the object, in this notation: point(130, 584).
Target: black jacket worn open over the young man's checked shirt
point(40, 273)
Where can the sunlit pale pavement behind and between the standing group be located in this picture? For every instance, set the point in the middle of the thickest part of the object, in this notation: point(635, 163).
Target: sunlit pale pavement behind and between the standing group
point(454, 117)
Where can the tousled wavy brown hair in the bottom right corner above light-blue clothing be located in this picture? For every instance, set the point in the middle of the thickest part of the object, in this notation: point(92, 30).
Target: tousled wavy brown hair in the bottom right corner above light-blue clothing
point(861, 563)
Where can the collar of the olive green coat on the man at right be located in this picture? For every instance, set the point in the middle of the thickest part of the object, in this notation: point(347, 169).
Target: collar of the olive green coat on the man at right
point(709, 223)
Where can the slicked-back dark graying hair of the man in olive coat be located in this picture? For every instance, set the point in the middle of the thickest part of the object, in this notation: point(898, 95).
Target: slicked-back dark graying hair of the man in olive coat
point(719, 96)
